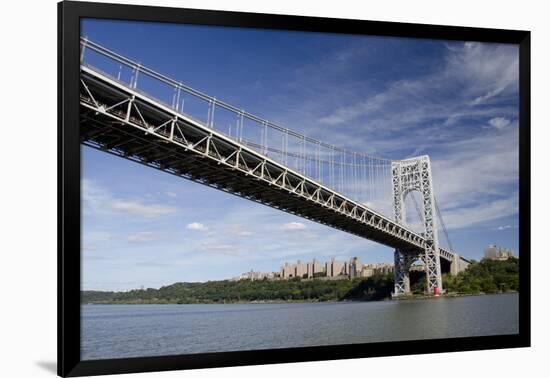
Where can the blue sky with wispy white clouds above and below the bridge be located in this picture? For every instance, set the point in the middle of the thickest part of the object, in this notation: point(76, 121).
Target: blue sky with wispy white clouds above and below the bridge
point(391, 97)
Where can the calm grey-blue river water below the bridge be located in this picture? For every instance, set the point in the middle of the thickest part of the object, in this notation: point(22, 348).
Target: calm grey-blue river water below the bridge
point(114, 331)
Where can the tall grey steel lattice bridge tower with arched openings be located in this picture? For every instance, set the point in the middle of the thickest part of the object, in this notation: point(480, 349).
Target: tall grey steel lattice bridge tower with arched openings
point(409, 175)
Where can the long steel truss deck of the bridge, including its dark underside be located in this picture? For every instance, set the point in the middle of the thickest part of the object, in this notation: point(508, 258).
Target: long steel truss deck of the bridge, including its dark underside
point(126, 130)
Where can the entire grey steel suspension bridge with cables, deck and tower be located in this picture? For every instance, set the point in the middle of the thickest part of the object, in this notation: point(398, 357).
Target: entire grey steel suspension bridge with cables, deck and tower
point(134, 112)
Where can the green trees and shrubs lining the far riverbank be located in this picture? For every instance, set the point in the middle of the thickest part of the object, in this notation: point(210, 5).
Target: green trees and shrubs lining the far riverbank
point(487, 276)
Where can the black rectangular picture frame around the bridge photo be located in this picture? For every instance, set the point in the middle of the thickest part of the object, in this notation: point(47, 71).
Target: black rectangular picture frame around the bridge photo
point(69, 15)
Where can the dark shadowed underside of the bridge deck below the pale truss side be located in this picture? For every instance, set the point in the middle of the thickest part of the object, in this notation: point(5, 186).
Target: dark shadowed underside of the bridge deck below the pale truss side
point(202, 169)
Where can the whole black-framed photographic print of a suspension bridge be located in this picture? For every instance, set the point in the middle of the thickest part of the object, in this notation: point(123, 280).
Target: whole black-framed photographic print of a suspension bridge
point(239, 188)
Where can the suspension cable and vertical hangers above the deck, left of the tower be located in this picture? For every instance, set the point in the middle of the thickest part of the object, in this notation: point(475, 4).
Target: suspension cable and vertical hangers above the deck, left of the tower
point(364, 178)
